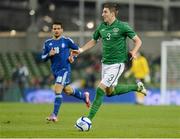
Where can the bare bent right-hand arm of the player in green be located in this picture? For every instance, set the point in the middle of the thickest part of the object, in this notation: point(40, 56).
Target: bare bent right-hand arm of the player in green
point(137, 44)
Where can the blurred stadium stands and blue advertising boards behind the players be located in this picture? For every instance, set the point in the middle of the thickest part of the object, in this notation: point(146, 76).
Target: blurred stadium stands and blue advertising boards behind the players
point(25, 24)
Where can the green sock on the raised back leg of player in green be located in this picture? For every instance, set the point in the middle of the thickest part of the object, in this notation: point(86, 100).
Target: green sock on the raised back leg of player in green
point(123, 89)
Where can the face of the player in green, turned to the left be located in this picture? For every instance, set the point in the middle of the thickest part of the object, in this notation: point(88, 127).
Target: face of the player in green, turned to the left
point(107, 15)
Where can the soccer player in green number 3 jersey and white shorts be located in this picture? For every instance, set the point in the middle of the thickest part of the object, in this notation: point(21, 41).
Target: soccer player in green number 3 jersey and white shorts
point(114, 56)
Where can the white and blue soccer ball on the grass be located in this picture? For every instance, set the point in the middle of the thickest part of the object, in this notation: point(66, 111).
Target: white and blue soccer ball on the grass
point(83, 124)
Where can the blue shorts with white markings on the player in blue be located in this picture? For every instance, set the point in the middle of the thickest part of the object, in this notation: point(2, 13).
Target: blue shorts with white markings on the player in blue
point(62, 77)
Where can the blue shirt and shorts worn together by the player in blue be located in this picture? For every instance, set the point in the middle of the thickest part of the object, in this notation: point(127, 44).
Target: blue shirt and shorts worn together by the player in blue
point(60, 64)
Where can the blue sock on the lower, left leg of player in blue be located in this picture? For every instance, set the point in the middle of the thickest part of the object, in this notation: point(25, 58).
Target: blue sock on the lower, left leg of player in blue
point(57, 103)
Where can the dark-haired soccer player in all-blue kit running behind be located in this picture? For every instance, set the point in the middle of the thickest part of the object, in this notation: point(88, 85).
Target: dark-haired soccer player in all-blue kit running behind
point(57, 49)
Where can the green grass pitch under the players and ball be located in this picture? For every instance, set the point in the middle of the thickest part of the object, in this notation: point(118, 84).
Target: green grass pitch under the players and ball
point(112, 121)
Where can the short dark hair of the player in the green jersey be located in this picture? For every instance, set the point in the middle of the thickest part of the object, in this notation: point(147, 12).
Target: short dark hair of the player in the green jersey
point(113, 7)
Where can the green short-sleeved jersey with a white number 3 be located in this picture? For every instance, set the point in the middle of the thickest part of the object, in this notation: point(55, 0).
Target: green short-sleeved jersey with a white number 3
point(114, 41)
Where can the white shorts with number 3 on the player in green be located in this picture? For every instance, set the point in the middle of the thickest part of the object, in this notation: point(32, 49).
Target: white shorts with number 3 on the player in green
point(111, 74)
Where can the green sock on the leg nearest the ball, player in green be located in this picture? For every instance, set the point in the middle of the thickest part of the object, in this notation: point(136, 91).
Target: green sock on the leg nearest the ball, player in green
point(96, 103)
